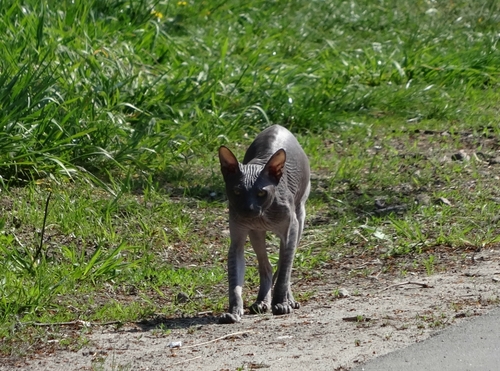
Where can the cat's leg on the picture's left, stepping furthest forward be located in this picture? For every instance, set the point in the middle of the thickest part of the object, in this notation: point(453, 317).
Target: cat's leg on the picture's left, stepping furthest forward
point(236, 275)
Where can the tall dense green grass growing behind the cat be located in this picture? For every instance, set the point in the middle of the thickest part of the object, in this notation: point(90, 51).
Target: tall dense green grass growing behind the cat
point(104, 86)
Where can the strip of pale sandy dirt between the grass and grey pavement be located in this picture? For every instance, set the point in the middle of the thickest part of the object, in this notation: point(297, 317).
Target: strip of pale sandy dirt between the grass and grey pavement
point(335, 329)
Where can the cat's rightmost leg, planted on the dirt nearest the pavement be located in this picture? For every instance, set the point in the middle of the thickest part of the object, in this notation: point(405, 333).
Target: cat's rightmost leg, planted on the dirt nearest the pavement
point(283, 301)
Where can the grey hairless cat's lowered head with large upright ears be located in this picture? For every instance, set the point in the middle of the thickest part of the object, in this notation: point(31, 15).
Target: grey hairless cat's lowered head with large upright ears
point(251, 188)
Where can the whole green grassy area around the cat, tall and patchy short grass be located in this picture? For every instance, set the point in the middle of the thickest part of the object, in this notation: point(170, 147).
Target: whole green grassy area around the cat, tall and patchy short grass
point(116, 109)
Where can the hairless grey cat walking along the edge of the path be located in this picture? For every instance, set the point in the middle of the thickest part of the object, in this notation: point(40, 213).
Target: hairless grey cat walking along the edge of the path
point(267, 192)
